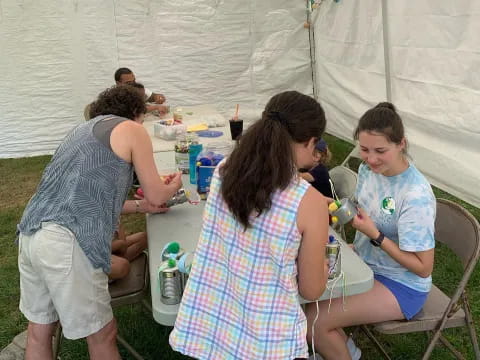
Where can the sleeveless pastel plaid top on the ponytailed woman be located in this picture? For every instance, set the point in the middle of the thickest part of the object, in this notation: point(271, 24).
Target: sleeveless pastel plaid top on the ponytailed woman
point(241, 299)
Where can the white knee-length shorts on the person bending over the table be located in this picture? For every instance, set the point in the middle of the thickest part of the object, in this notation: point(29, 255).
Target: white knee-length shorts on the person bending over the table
point(58, 282)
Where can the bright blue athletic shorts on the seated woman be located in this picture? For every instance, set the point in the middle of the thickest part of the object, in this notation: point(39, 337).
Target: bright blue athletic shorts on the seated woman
point(411, 301)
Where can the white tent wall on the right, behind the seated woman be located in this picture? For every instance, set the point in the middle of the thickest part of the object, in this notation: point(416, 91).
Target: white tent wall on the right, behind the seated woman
point(434, 51)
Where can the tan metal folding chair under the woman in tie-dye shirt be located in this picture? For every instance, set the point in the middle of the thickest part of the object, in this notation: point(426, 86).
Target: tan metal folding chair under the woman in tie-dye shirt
point(456, 228)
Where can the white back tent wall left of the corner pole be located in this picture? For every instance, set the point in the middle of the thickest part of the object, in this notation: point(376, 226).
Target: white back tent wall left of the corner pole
point(56, 56)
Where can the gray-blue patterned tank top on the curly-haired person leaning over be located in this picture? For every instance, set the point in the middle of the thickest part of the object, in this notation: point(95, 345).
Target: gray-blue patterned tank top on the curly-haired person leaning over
point(83, 188)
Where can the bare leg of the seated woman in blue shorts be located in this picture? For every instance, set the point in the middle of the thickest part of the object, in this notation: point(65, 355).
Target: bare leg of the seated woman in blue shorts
point(376, 305)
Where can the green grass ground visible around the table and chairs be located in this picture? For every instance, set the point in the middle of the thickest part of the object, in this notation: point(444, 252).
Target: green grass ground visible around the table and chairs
point(19, 180)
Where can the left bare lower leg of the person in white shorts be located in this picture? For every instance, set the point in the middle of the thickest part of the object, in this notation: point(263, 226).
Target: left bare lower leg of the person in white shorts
point(39, 341)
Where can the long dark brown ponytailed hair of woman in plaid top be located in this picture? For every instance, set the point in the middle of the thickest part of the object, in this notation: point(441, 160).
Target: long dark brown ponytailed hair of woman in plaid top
point(263, 160)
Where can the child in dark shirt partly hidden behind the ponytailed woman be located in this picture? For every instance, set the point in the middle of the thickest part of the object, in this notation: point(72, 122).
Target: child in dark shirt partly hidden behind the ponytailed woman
point(318, 175)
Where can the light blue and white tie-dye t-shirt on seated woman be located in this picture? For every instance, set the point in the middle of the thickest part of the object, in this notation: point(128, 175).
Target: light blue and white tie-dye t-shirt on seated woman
point(403, 208)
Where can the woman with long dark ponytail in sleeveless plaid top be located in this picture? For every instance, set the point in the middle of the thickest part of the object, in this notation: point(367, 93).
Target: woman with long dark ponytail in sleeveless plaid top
point(262, 243)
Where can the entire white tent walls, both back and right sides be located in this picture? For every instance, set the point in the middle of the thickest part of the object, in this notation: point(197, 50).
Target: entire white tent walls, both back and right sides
point(55, 56)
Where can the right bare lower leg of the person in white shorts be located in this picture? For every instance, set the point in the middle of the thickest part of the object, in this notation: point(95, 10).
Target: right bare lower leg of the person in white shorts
point(103, 344)
